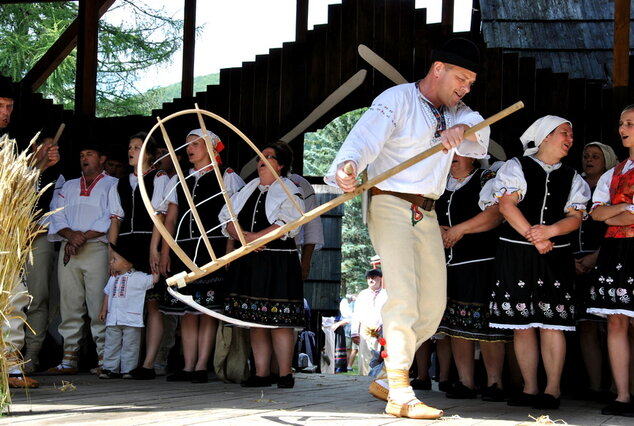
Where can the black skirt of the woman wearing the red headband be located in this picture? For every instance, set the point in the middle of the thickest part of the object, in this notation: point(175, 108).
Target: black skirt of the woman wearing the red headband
point(207, 291)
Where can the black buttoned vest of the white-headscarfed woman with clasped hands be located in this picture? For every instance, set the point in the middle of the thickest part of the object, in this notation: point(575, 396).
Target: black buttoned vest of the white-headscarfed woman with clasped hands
point(545, 198)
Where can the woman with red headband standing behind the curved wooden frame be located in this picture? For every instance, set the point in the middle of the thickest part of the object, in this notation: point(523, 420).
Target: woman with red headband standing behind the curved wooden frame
point(198, 331)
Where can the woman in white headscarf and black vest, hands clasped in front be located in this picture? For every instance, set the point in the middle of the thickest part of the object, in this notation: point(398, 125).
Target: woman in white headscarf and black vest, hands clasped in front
point(543, 201)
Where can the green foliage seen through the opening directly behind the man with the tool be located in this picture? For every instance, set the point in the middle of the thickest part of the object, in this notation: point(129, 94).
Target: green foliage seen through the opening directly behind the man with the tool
point(320, 149)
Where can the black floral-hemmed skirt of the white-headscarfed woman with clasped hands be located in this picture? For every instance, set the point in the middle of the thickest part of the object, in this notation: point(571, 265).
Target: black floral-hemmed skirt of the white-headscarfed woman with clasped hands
point(532, 289)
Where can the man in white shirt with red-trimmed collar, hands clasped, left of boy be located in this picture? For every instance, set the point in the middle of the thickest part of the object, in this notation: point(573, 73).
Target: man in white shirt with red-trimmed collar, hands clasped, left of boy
point(89, 205)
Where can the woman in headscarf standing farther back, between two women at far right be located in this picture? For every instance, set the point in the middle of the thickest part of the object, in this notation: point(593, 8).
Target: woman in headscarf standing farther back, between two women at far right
point(597, 159)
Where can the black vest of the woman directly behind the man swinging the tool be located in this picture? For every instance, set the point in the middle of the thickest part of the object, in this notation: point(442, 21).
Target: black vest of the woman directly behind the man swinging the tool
point(454, 207)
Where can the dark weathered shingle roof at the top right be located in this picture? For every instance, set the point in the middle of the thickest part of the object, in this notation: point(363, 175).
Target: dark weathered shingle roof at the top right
point(570, 36)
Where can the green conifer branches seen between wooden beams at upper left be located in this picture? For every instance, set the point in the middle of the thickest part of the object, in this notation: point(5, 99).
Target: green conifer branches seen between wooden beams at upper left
point(143, 37)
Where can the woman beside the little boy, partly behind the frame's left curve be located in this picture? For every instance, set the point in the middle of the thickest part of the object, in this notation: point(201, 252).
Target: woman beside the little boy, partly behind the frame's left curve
point(138, 233)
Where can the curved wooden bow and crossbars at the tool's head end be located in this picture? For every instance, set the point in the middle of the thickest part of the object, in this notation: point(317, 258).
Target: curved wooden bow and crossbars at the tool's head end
point(196, 271)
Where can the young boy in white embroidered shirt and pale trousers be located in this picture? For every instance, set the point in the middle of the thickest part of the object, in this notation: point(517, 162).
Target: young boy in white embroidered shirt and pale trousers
point(123, 313)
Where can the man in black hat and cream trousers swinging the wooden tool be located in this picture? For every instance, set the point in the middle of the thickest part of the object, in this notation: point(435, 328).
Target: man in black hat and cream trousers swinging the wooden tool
point(402, 122)
